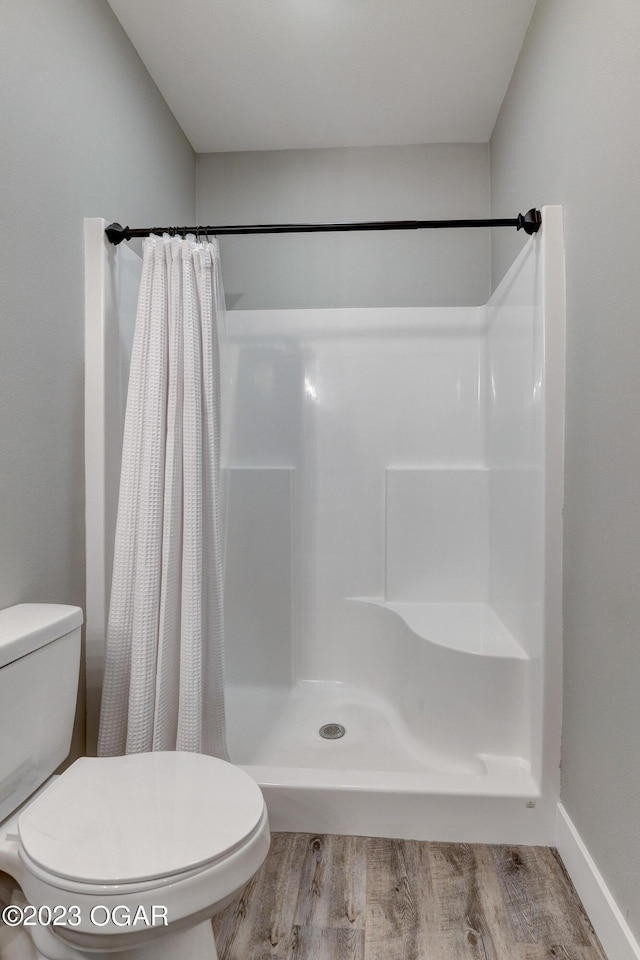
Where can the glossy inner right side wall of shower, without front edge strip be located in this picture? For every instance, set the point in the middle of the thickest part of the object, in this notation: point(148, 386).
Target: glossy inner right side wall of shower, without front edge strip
point(515, 455)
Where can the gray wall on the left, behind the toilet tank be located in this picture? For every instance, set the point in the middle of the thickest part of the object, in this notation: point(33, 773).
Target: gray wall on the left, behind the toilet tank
point(84, 132)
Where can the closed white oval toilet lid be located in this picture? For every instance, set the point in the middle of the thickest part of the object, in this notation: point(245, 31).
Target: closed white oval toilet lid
point(147, 815)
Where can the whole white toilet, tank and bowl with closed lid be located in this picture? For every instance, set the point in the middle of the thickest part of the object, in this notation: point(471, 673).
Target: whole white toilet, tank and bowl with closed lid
point(127, 857)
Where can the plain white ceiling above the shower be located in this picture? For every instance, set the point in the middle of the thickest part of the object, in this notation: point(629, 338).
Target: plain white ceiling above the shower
point(284, 74)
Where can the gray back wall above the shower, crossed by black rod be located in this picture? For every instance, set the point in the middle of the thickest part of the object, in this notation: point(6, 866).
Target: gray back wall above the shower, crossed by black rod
point(439, 181)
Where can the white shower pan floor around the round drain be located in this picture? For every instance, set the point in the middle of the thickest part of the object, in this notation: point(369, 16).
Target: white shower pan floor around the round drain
point(279, 728)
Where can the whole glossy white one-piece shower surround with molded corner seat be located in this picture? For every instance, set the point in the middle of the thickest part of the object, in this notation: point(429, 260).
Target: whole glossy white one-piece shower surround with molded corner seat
point(363, 437)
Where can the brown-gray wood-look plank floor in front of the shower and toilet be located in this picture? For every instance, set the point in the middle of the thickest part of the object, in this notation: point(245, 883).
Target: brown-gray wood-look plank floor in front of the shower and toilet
point(320, 897)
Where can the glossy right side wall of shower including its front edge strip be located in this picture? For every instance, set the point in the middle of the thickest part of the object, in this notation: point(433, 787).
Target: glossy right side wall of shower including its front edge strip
point(525, 440)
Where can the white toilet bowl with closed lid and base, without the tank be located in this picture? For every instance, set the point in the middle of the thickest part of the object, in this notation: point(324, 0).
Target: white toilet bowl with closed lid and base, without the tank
point(129, 856)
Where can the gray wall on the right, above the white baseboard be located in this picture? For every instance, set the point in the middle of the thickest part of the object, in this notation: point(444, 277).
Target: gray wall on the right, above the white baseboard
point(569, 133)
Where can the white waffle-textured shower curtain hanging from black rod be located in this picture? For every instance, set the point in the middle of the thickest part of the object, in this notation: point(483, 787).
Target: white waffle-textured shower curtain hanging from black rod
point(164, 673)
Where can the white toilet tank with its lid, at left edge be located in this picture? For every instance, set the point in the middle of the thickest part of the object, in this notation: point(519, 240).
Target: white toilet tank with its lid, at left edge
point(39, 664)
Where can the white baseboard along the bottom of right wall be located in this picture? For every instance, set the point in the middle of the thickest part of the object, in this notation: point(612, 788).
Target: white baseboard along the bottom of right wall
point(613, 930)
